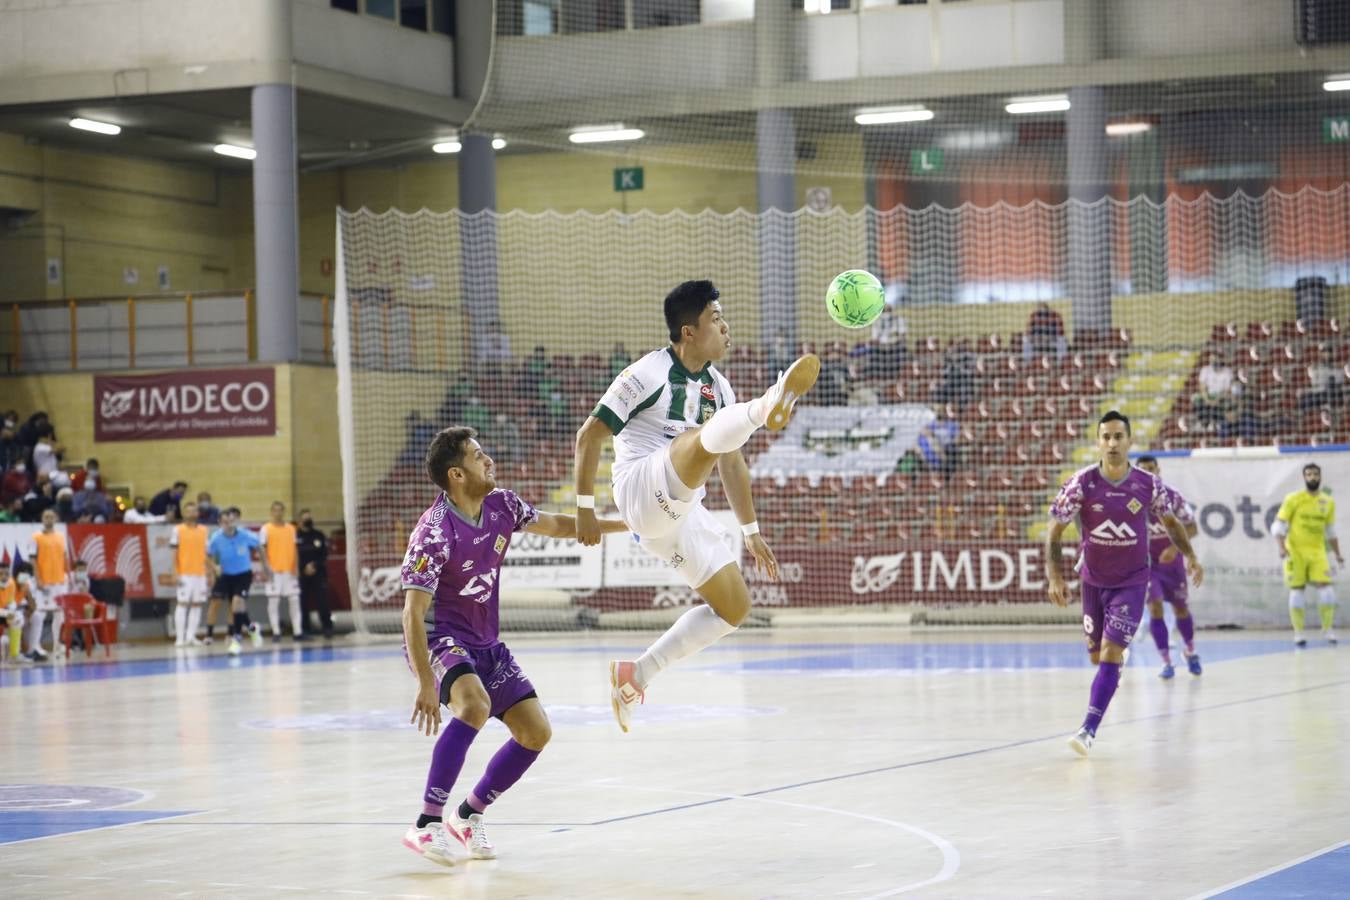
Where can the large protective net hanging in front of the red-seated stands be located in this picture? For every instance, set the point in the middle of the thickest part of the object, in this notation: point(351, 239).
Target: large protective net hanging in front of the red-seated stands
point(915, 481)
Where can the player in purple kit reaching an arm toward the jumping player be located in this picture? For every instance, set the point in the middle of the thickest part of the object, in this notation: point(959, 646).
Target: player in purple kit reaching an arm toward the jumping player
point(450, 580)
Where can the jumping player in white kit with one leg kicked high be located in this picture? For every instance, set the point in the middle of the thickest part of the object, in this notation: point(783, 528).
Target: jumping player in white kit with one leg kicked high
point(674, 420)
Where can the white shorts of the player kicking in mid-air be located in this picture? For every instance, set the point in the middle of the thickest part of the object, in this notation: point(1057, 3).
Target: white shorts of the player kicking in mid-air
point(681, 532)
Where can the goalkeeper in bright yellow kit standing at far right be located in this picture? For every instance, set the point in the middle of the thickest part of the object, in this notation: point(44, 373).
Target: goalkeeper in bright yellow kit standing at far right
point(1303, 530)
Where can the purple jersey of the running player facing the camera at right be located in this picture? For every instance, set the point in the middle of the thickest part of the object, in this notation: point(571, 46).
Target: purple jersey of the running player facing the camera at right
point(1114, 523)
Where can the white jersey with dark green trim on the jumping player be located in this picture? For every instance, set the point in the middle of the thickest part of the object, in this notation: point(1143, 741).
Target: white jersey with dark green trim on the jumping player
point(655, 400)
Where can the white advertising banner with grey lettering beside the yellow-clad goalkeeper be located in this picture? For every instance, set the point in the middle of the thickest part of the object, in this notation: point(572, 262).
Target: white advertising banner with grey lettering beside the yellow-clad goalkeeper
point(1237, 496)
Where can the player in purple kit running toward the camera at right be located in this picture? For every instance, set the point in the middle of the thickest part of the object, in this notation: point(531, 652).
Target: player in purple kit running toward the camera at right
point(1112, 503)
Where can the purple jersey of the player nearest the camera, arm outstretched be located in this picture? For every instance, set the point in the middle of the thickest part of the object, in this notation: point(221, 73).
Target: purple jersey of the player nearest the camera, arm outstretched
point(460, 565)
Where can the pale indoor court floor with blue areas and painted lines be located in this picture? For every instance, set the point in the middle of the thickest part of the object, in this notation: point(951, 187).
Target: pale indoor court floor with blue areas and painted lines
point(836, 763)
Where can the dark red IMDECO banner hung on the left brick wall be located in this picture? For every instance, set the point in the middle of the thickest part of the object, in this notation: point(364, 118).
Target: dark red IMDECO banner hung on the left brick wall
point(221, 403)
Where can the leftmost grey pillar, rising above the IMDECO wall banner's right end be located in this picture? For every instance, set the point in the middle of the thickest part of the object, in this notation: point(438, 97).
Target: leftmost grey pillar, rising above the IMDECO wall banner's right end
point(276, 226)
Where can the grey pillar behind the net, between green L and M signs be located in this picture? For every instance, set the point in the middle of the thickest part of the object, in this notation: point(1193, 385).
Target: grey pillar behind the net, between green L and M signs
point(1089, 214)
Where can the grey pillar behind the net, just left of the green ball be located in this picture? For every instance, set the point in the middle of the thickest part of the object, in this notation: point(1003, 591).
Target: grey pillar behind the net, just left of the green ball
point(776, 153)
